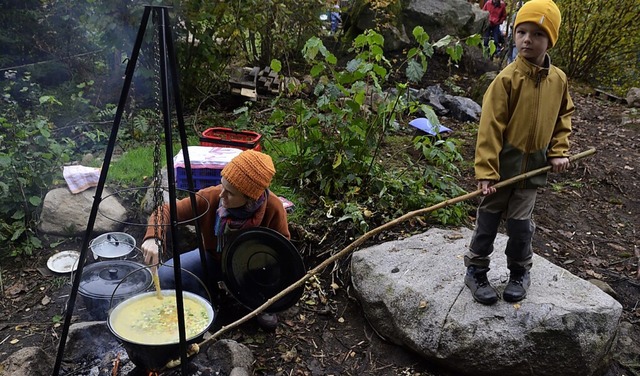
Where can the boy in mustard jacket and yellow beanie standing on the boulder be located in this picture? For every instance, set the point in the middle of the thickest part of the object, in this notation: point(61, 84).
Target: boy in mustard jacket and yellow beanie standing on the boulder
point(525, 125)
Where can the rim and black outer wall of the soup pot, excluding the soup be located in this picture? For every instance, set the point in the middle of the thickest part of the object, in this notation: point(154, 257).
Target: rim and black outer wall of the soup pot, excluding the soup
point(151, 356)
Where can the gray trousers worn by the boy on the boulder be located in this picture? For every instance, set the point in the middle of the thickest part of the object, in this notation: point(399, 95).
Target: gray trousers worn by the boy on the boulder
point(515, 206)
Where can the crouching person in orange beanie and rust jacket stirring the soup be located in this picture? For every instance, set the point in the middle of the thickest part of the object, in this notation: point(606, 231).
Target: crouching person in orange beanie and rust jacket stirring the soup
point(242, 200)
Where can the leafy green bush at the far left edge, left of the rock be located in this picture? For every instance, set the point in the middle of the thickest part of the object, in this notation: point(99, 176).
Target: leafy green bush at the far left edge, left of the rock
point(30, 161)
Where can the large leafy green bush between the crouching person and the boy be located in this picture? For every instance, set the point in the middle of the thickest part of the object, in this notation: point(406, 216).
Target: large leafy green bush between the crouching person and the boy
point(338, 137)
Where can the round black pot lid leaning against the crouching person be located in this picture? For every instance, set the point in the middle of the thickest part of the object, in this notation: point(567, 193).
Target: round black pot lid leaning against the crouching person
point(258, 264)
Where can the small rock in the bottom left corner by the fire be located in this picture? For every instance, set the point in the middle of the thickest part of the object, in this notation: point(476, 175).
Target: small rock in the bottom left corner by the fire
point(28, 361)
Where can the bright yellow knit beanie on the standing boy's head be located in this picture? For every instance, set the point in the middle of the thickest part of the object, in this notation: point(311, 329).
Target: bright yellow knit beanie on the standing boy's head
point(544, 13)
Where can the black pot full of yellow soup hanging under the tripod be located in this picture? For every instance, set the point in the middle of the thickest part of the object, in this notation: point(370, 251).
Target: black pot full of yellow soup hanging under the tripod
point(137, 321)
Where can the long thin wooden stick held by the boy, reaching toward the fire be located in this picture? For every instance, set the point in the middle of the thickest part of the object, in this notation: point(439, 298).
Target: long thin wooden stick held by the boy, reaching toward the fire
point(373, 232)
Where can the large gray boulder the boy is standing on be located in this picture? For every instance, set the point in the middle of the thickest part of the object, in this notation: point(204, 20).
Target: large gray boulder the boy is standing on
point(412, 292)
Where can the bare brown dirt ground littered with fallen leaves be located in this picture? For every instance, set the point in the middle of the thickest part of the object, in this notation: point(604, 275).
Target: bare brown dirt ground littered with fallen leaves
point(587, 221)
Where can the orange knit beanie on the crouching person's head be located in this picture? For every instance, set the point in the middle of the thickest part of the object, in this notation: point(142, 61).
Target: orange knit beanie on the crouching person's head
point(250, 172)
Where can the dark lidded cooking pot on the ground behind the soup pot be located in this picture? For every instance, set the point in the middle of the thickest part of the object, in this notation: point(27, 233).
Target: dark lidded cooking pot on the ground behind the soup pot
point(104, 284)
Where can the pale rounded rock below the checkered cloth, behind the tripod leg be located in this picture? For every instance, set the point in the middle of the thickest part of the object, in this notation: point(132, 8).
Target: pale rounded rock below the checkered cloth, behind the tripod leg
point(67, 214)
